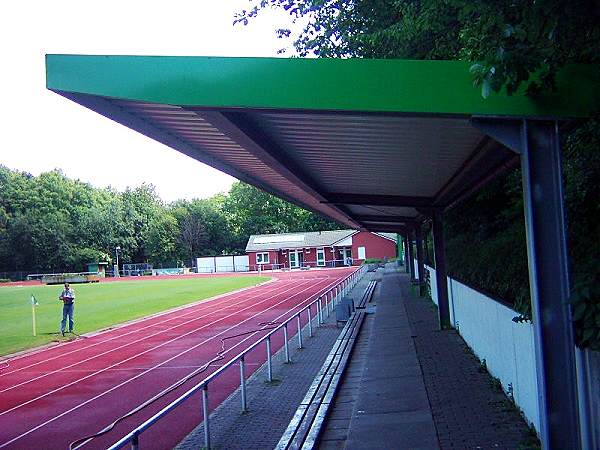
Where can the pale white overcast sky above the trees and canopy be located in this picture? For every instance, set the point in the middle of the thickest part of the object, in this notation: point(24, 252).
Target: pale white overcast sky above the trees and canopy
point(42, 130)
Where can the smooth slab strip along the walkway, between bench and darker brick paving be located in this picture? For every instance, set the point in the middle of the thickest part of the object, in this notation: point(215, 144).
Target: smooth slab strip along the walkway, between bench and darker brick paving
point(392, 410)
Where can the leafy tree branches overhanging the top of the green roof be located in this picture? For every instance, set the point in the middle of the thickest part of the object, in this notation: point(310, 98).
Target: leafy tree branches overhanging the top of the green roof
point(510, 43)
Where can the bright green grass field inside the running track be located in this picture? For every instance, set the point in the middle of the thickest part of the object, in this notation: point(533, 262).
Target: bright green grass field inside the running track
point(99, 305)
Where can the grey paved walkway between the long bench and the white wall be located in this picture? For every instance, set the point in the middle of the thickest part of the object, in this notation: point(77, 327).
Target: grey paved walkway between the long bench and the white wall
point(411, 386)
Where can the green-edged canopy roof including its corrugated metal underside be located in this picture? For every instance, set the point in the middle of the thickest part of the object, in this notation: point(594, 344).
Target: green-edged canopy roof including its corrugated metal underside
point(366, 142)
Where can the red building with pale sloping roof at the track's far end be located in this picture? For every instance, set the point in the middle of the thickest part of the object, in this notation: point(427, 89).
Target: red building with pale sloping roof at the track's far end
point(318, 249)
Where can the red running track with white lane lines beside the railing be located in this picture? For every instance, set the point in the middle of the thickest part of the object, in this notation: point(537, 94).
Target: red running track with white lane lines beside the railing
point(52, 397)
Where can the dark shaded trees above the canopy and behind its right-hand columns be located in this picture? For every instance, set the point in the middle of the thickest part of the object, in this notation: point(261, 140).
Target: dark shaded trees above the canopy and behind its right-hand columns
point(516, 45)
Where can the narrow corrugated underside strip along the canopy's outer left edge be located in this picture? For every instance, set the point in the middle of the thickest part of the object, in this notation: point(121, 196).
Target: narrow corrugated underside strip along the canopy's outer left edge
point(194, 130)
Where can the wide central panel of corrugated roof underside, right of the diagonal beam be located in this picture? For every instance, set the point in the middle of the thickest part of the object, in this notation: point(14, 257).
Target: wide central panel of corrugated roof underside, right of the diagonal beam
point(366, 154)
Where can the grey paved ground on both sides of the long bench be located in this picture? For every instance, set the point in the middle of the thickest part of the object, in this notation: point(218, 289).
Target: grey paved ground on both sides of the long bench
point(407, 386)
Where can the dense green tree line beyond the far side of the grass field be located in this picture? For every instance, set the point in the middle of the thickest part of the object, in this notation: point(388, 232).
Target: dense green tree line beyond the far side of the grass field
point(52, 223)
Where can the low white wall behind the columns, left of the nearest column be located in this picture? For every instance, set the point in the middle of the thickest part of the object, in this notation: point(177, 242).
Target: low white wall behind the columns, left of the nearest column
point(507, 347)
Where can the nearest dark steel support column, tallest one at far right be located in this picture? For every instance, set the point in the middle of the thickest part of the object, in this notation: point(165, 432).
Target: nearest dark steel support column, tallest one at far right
point(549, 284)
